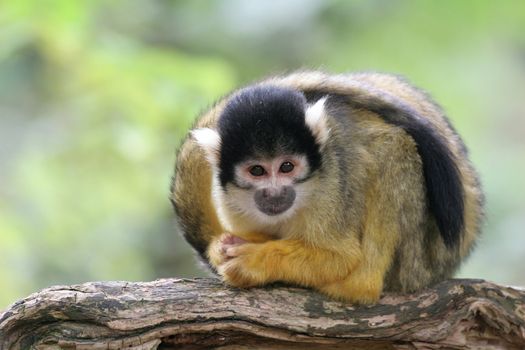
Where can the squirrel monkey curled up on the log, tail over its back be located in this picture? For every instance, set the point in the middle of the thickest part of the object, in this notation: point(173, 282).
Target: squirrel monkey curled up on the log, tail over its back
point(349, 184)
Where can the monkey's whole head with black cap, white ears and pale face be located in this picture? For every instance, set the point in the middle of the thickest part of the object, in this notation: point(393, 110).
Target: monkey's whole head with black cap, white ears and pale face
point(267, 146)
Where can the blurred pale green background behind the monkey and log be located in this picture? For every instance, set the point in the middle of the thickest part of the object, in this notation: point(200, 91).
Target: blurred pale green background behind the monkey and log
point(95, 96)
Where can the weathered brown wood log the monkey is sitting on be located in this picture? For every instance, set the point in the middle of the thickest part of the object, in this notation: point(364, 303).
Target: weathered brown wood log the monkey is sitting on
point(203, 313)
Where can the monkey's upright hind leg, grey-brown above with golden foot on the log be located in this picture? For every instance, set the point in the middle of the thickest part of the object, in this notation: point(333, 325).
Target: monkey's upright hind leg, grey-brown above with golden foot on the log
point(395, 207)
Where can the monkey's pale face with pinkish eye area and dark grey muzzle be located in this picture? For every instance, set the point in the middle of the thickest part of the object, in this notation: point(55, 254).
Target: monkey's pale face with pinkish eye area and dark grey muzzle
point(271, 187)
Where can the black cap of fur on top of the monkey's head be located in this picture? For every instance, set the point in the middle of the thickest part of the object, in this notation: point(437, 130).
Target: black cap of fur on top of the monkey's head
point(264, 121)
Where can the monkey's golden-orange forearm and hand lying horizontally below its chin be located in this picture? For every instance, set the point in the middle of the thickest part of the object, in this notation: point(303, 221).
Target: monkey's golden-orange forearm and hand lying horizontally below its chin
point(291, 261)
